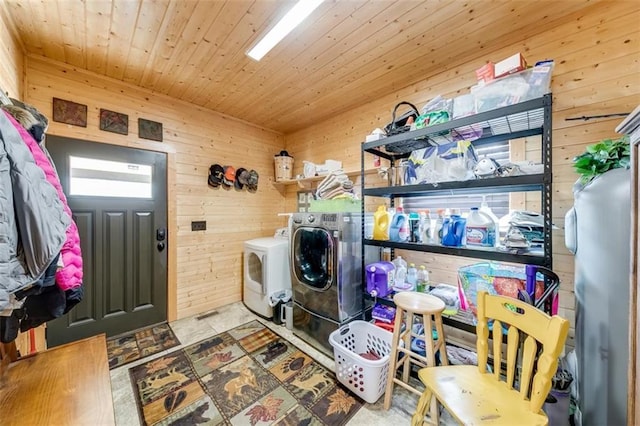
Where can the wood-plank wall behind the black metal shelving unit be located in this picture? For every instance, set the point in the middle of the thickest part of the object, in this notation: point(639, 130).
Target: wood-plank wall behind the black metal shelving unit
point(597, 72)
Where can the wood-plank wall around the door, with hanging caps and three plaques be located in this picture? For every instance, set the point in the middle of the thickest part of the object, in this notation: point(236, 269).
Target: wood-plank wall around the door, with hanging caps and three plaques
point(205, 267)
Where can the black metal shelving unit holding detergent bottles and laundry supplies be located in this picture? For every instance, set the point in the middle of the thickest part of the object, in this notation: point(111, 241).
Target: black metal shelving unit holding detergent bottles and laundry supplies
point(528, 118)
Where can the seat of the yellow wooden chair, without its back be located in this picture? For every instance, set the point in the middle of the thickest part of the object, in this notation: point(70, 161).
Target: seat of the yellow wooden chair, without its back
point(476, 398)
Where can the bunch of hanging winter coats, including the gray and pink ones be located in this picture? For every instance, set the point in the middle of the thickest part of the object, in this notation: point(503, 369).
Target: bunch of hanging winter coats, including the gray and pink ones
point(40, 257)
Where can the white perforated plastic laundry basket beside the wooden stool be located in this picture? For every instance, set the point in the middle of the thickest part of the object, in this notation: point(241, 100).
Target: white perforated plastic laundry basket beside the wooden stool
point(364, 377)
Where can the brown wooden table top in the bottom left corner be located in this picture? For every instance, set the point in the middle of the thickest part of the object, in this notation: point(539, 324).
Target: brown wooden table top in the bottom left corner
point(66, 385)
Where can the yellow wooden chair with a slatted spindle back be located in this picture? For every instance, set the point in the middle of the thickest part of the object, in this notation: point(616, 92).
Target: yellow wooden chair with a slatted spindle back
point(474, 396)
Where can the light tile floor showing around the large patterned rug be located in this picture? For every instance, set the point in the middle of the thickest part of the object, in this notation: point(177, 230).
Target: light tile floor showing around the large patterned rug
point(191, 330)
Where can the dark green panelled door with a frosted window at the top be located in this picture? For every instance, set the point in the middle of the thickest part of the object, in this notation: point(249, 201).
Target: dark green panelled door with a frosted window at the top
point(118, 197)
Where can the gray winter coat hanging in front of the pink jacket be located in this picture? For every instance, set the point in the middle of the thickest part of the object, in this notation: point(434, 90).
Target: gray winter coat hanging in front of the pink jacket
point(32, 218)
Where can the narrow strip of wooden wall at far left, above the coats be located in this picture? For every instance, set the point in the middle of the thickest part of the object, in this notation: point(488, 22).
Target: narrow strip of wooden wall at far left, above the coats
point(11, 58)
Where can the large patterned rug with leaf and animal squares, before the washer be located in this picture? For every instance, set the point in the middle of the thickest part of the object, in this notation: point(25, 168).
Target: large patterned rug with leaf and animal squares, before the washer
point(246, 376)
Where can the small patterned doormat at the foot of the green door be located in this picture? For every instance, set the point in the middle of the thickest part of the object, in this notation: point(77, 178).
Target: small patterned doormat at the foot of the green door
point(129, 347)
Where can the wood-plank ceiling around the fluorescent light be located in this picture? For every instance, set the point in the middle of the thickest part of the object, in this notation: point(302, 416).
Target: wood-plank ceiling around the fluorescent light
point(346, 53)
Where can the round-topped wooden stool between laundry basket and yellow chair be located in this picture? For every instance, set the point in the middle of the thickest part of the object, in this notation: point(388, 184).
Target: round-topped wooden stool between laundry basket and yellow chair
point(430, 308)
